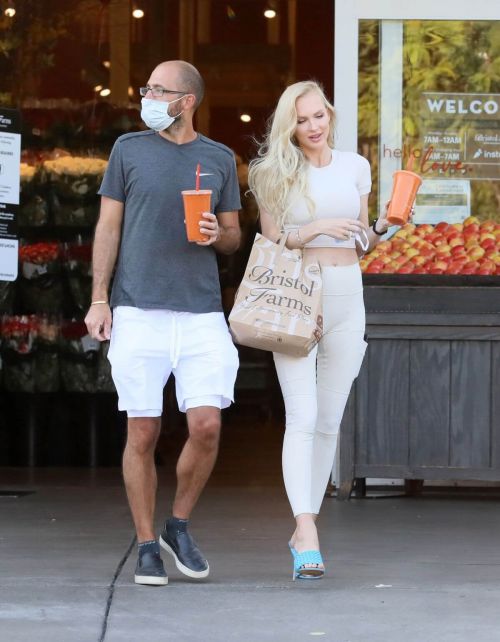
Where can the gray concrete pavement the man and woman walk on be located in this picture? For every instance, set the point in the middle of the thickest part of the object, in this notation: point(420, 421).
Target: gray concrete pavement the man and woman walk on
point(398, 568)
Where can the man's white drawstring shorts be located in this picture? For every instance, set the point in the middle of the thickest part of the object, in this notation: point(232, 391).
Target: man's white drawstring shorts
point(147, 345)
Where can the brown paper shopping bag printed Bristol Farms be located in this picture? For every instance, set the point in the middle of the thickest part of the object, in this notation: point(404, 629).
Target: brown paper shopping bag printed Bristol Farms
point(279, 300)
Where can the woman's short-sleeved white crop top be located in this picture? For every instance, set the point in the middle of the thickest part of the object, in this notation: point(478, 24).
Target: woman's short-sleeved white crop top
point(335, 190)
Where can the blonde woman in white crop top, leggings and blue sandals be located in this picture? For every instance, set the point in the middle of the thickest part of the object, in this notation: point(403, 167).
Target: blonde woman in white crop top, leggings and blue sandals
point(319, 196)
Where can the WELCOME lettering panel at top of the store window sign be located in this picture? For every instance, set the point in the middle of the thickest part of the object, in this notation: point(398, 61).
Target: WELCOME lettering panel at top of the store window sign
point(476, 106)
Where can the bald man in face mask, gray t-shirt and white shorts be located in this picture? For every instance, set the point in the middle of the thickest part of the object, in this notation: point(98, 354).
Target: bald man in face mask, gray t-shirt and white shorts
point(165, 314)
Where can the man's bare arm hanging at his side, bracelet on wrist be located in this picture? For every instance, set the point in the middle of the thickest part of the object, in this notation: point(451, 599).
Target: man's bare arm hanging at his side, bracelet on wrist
point(105, 251)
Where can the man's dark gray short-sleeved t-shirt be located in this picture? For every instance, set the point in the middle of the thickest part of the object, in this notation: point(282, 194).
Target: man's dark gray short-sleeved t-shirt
point(157, 267)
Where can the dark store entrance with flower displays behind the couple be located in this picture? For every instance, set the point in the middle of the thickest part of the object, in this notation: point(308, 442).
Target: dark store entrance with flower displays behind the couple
point(75, 84)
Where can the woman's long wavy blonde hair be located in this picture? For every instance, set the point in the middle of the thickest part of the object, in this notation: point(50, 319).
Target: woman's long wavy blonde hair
point(281, 164)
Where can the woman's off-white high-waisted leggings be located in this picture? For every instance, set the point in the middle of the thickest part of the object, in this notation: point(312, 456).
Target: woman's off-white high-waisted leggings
point(315, 389)
